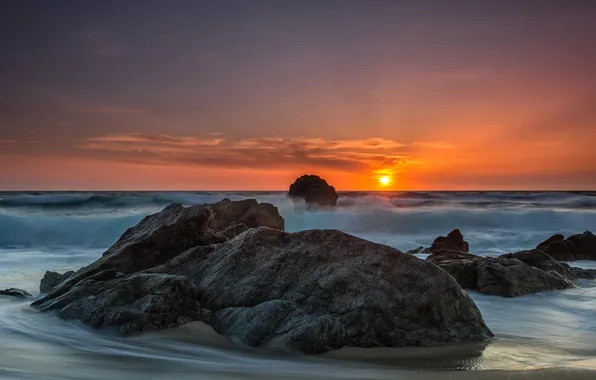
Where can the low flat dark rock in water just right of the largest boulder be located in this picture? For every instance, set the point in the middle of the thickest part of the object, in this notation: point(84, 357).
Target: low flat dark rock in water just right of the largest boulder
point(498, 276)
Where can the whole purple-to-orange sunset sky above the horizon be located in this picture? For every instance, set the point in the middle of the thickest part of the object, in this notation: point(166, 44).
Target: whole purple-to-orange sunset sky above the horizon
point(249, 95)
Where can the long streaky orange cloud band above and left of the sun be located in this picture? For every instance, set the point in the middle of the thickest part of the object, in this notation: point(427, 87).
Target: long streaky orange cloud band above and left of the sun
point(266, 152)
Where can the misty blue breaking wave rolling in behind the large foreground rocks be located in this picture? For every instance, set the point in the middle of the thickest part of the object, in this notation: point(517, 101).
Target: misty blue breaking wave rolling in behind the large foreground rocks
point(375, 218)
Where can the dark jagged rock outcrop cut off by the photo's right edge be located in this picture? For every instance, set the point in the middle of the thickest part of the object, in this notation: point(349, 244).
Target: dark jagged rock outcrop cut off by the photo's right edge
point(575, 247)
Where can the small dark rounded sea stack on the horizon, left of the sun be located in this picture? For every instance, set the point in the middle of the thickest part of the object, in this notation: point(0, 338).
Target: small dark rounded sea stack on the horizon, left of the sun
point(314, 191)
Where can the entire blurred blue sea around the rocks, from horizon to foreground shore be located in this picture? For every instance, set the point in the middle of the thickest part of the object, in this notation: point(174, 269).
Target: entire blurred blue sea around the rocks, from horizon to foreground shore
point(550, 333)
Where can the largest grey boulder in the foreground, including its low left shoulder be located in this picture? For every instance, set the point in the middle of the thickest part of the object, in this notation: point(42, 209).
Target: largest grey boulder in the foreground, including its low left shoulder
point(311, 291)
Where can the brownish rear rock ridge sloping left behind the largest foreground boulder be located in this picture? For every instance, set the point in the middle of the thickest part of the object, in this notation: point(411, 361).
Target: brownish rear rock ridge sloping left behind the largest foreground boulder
point(161, 236)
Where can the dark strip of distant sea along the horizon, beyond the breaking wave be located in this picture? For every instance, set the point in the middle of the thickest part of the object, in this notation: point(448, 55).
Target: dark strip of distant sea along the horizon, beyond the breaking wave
point(69, 201)
